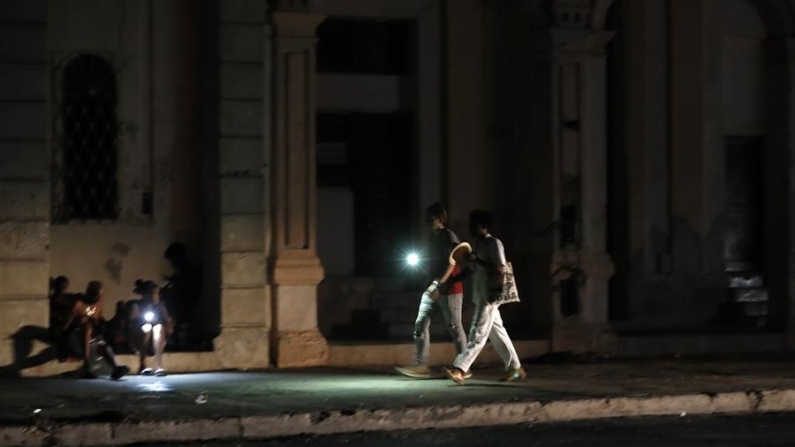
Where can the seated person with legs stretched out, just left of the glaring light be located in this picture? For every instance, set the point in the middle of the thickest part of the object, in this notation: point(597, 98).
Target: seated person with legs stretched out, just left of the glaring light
point(83, 329)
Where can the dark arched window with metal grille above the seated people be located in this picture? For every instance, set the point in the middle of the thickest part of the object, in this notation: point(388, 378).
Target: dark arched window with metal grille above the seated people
point(89, 140)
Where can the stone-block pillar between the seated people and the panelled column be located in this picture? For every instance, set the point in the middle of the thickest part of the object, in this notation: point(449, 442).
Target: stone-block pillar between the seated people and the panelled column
point(242, 185)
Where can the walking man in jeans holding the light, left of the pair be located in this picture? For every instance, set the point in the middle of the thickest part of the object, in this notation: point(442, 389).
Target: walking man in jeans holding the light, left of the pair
point(447, 298)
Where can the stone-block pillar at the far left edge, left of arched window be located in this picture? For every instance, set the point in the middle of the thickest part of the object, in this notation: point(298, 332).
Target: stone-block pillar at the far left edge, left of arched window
point(24, 172)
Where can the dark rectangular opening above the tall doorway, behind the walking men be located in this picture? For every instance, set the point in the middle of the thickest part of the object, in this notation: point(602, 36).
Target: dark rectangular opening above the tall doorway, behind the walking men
point(363, 46)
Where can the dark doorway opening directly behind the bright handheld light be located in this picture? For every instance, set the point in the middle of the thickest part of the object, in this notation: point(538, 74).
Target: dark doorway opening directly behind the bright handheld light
point(370, 153)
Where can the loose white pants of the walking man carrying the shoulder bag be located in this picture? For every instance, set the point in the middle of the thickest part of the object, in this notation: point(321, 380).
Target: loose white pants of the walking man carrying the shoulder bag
point(487, 325)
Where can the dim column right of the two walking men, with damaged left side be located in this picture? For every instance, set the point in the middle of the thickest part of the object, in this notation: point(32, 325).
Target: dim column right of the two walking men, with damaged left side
point(583, 176)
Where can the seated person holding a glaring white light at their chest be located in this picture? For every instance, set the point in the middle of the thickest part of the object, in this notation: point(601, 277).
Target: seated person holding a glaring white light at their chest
point(149, 326)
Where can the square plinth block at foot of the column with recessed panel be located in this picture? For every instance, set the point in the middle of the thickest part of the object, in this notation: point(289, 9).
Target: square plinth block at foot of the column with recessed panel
point(300, 349)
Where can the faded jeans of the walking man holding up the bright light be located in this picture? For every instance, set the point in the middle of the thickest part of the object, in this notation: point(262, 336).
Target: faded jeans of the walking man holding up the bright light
point(450, 305)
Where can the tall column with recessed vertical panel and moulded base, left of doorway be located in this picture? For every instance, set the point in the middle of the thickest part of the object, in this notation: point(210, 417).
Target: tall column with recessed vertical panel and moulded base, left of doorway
point(296, 268)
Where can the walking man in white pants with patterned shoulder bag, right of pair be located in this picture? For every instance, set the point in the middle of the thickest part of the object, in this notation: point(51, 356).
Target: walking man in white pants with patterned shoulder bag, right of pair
point(486, 266)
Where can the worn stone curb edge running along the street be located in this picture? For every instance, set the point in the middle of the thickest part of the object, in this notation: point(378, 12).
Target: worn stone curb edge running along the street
point(344, 421)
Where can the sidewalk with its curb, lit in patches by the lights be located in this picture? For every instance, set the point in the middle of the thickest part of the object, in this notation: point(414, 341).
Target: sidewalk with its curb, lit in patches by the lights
point(229, 405)
